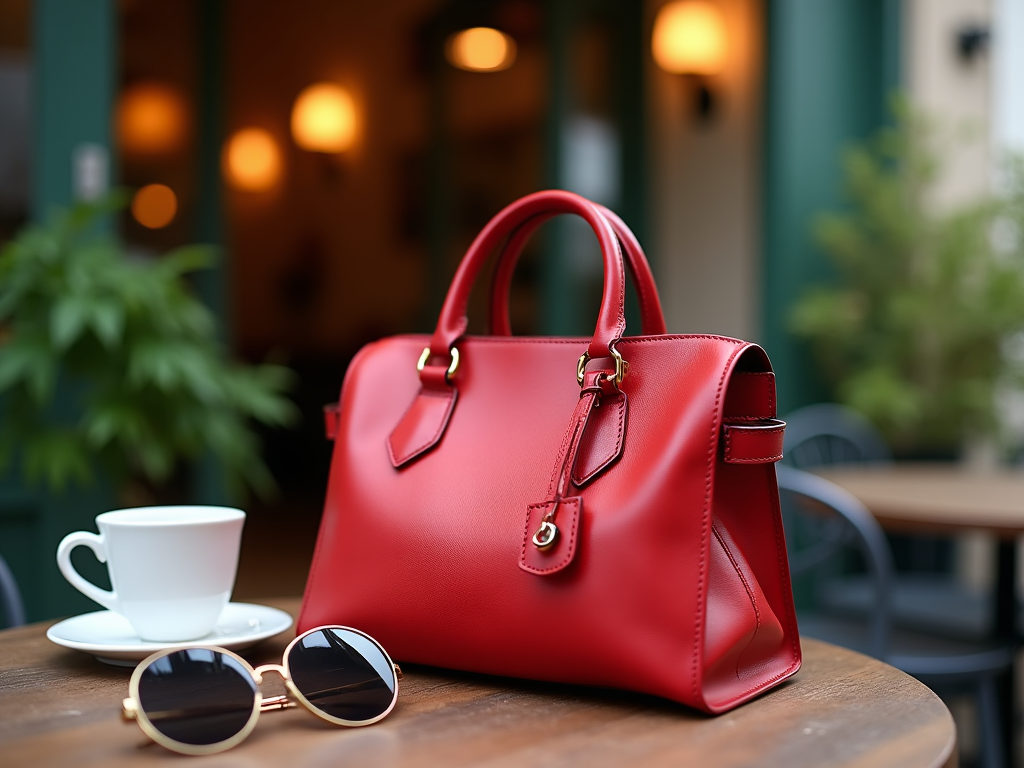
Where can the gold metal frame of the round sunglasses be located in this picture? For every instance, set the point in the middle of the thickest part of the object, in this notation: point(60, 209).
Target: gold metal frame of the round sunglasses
point(132, 709)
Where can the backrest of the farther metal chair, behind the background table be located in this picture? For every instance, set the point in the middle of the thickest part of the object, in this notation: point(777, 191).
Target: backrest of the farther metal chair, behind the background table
point(830, 434)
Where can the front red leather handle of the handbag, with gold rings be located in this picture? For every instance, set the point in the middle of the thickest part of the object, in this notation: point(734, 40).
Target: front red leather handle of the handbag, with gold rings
point(612, 319)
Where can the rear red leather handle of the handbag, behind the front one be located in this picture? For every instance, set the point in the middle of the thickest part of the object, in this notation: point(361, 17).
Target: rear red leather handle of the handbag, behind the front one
point(652, 317)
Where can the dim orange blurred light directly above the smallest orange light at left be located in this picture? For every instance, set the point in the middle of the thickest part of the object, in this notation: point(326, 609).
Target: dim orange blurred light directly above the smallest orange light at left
point(151, 119)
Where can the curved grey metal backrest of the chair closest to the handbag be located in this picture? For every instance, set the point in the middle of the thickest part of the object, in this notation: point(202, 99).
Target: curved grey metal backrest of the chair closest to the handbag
point(844, 522)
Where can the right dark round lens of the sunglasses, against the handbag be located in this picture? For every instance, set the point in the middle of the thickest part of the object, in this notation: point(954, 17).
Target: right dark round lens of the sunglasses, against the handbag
point(344, 674)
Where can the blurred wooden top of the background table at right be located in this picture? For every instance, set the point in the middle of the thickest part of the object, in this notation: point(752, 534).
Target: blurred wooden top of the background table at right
point(941, 498)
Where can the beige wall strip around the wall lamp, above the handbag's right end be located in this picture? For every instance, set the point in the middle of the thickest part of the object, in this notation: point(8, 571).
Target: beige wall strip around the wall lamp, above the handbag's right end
point(706, 189)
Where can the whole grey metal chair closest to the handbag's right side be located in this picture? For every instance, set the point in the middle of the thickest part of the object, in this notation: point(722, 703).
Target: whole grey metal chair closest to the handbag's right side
point(946, 665)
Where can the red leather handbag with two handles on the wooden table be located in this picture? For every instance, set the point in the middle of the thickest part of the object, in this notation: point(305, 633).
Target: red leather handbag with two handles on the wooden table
point(601, 511)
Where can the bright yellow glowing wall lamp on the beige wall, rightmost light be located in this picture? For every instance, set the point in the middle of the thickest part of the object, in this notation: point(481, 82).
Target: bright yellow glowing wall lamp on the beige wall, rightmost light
point(690, 38)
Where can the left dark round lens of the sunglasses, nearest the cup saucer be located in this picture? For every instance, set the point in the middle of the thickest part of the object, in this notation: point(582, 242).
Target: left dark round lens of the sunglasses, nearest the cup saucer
point(197, 697)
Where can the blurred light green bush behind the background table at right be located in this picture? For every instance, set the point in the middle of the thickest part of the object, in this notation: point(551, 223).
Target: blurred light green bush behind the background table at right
point(917, 335)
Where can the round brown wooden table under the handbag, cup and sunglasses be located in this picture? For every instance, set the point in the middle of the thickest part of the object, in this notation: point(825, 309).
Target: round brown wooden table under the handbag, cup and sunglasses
point(62, 708)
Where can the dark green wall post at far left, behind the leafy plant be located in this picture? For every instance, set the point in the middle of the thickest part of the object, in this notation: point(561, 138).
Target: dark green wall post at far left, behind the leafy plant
point(74, 75)
